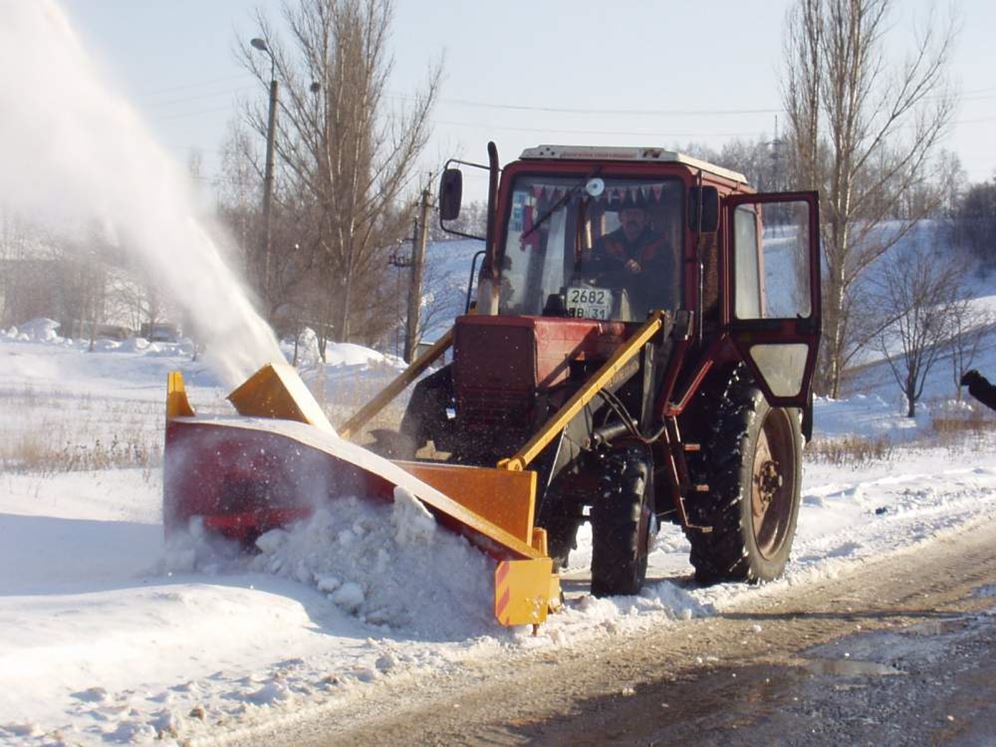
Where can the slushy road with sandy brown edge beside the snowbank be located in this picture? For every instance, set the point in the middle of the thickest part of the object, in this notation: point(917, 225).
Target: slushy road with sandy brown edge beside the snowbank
point(898, 651)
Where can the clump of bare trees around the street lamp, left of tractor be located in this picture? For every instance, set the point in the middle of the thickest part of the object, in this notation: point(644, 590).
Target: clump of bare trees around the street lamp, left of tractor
point(345, 176)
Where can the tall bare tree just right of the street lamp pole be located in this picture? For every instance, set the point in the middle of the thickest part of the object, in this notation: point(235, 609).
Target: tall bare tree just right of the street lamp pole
point(346, 157)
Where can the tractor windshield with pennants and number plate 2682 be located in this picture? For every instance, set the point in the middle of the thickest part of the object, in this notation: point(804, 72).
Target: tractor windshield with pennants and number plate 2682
point(591, 247)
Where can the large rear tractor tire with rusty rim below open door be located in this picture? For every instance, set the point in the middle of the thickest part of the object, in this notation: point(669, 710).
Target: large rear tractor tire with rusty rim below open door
point(752, 463)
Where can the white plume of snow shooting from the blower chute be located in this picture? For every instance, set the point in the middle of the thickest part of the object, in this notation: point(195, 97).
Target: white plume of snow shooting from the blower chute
point(74, 151)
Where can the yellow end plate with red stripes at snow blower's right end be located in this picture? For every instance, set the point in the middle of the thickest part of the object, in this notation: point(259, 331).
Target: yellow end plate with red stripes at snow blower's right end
point(525, 591)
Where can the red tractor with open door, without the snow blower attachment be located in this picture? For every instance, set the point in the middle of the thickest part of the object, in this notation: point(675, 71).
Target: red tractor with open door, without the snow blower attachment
point(644, 337)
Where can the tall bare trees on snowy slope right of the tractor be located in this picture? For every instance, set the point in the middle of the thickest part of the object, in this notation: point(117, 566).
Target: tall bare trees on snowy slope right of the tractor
point(867, 137)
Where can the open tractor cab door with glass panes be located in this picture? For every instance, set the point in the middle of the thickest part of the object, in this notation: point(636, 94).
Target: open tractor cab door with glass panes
point(774, 276)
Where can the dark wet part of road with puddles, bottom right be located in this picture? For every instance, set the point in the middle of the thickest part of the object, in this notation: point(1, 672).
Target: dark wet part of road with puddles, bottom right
point(932, 683)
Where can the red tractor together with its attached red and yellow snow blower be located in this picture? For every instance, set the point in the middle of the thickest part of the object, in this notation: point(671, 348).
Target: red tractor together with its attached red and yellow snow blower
point(641, 350)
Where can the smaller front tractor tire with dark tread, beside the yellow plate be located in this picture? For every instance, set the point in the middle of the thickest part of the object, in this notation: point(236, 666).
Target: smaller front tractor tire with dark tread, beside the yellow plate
point(622, 522)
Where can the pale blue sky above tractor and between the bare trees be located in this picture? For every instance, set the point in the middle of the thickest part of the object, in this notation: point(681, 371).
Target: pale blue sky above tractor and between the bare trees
point(521, 73)
